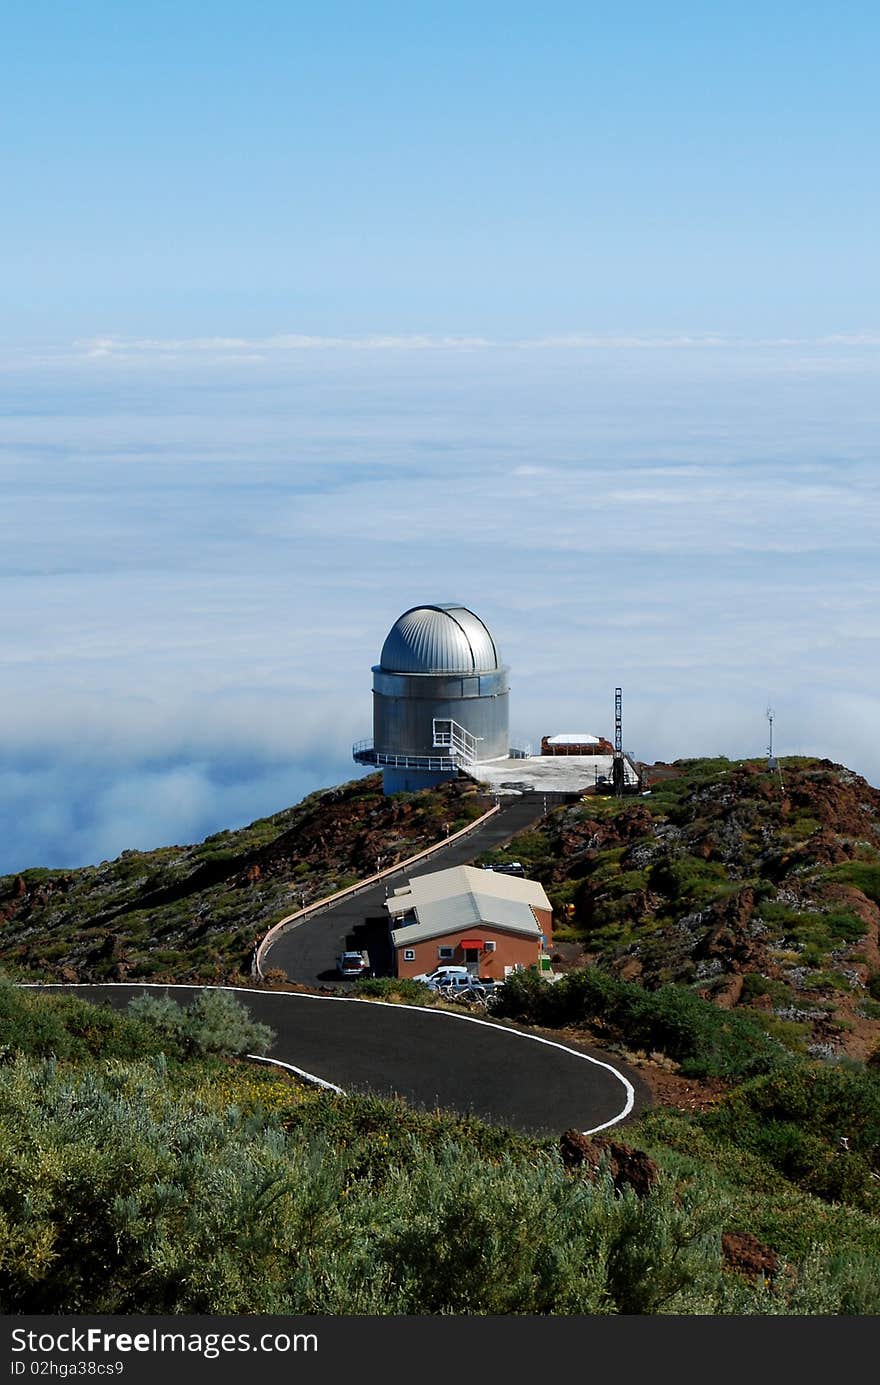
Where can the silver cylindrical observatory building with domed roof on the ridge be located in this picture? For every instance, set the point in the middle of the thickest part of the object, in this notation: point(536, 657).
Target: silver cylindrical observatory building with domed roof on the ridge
point(440, 699)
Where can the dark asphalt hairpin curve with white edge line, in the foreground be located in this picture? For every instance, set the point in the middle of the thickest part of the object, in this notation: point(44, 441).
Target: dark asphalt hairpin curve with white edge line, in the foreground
point(432, 1059)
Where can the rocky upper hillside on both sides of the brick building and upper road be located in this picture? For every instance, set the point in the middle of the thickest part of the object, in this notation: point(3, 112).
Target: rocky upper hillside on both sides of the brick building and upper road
point(757, 891)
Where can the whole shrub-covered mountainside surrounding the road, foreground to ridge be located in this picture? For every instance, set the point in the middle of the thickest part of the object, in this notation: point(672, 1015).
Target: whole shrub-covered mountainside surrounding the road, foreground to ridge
point(721, 933)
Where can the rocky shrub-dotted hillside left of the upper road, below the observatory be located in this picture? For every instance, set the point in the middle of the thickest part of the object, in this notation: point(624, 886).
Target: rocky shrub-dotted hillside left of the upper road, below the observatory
point(192, 913)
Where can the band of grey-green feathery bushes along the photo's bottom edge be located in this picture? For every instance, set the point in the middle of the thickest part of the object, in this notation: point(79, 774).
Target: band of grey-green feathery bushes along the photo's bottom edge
point(117, 1200)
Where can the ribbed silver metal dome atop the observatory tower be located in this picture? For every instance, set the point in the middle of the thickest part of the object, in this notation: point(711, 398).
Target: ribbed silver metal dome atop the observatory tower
point(440, 639)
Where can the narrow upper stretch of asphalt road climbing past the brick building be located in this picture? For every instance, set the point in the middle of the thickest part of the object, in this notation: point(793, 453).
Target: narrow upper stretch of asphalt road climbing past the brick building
point(308, 952)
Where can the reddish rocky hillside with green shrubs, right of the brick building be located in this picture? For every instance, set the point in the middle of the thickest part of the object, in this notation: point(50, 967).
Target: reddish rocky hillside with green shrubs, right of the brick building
point(760, 891)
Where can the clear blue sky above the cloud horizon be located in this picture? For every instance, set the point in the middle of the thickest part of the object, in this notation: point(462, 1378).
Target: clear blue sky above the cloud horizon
point(182, 170)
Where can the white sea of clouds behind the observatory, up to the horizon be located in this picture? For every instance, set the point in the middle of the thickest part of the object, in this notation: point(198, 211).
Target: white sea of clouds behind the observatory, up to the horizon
point(206, 542)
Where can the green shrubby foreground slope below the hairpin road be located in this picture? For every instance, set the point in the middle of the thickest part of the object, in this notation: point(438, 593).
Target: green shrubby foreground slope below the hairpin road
point(339, 1206)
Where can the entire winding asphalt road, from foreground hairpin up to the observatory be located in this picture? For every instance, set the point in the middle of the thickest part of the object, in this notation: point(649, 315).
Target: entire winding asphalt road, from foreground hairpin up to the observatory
point(433, 1059)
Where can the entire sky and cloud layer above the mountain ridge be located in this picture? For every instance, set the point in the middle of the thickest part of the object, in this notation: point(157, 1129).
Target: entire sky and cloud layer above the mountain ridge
point(311, 314)
